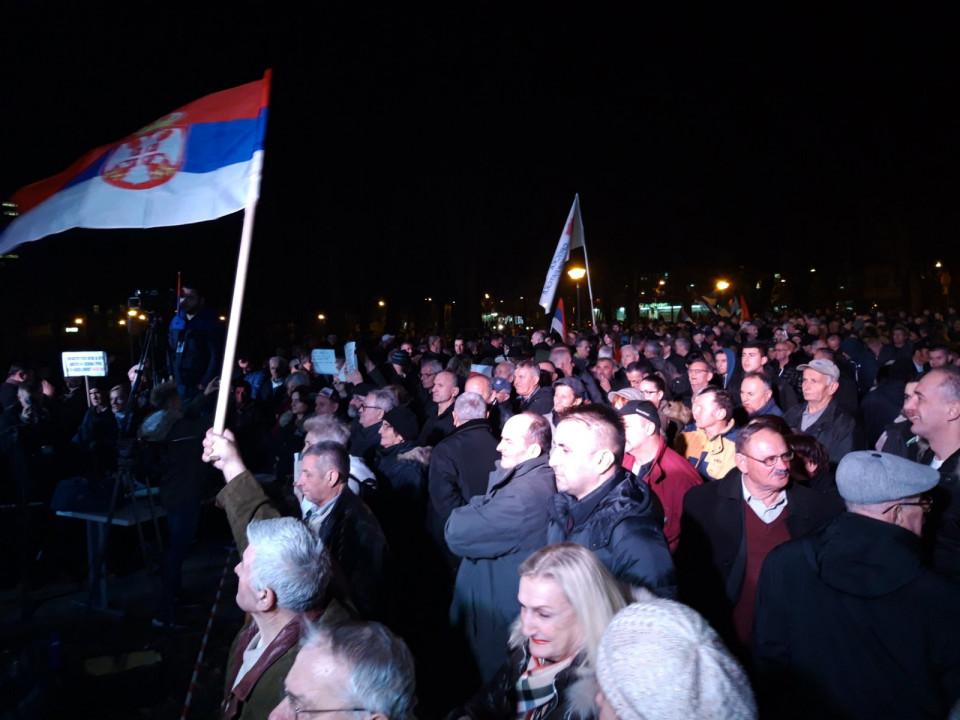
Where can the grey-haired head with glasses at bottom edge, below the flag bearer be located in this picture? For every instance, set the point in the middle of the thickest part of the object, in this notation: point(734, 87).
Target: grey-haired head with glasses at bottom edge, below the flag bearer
point(350, 667)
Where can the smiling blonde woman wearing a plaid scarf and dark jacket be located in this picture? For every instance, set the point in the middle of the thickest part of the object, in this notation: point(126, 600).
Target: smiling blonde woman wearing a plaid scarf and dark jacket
point(567, 599)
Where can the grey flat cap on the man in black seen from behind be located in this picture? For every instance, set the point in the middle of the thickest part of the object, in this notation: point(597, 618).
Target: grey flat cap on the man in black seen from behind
point(865, 477)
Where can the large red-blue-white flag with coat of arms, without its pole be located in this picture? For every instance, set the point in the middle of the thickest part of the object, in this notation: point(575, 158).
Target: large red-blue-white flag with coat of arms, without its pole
point(196, 163)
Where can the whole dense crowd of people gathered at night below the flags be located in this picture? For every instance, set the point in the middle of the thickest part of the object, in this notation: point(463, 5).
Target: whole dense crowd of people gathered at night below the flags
point(668, 520)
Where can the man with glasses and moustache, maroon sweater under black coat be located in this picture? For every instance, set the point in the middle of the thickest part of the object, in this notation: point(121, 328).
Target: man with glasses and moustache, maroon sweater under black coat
point(730, 525)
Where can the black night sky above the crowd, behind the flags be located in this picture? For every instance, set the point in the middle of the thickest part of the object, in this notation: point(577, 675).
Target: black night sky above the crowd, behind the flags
point(413, 153)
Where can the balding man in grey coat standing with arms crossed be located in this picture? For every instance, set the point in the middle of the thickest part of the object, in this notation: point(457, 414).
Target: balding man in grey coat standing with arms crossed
point(495, 532)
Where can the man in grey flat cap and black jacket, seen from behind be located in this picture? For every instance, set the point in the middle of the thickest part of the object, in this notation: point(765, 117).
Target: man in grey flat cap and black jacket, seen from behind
point(849, 621)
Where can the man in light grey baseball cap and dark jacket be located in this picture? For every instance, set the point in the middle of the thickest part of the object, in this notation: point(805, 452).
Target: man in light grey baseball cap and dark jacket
point(819, 414)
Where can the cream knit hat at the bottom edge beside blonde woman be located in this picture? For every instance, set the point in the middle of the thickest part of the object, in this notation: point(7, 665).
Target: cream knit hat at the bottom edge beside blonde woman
point(659, 660)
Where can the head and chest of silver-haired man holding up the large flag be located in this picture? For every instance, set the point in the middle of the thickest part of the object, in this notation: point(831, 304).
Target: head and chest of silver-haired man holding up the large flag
point(283, 573)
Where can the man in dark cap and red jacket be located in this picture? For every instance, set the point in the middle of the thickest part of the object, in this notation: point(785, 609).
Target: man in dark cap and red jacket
point(648, 457)
